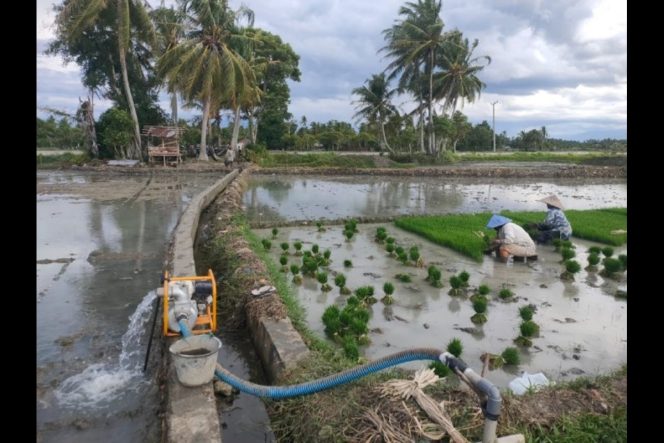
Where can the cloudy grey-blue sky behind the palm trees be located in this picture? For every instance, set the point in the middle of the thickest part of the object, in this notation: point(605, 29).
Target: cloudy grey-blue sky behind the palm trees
point(560, 64)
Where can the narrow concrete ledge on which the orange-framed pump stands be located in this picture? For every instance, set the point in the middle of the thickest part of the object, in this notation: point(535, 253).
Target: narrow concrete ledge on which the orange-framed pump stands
point(192, 412)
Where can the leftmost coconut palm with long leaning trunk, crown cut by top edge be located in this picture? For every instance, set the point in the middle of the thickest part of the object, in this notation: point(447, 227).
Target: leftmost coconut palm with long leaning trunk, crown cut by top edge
point(75, 17)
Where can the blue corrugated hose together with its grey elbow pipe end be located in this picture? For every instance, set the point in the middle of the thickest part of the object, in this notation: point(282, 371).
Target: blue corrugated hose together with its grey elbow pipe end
point(490, 398)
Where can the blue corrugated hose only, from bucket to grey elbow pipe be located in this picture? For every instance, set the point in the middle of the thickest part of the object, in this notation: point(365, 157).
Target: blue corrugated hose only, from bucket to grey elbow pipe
point(279, 392)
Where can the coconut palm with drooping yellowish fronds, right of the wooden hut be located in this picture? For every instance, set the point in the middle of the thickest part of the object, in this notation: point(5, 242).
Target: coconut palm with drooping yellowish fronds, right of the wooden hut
point(204, 66)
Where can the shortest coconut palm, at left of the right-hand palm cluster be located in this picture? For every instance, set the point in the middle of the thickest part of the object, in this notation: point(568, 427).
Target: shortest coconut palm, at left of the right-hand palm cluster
point(374, 104)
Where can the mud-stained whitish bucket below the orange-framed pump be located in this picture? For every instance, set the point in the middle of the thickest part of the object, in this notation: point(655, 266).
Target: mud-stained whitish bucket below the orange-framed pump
point(195, 358)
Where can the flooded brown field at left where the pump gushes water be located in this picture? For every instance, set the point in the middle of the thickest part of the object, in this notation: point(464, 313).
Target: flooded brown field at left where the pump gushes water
point(101, 247)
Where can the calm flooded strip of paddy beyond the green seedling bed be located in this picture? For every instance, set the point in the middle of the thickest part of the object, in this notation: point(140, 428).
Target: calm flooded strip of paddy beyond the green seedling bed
point(282, 198)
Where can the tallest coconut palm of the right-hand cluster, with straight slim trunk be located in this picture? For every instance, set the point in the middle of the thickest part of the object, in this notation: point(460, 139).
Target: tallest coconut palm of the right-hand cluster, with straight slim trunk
point(415, 41)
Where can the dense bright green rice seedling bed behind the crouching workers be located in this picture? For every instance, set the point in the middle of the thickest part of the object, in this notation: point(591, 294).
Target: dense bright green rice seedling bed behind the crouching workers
point(458, 231)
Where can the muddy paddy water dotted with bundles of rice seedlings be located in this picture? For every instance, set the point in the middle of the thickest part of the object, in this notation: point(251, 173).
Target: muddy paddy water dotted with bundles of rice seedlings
point(583, 326)
